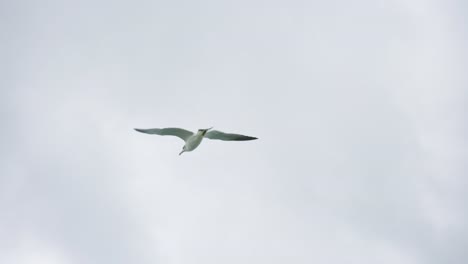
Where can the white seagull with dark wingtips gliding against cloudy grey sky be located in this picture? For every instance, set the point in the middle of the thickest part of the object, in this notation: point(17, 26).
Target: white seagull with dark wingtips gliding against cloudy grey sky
point(192, 140)
